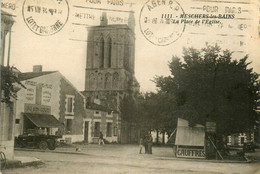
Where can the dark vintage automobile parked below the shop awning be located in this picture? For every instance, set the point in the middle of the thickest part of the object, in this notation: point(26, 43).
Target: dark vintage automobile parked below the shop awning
point(40, 141)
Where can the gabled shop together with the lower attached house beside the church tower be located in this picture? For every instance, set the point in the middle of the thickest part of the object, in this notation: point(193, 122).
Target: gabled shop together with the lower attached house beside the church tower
point(49, 99)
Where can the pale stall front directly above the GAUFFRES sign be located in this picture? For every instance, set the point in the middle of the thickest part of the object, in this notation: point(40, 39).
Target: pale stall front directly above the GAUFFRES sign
point(189, 136)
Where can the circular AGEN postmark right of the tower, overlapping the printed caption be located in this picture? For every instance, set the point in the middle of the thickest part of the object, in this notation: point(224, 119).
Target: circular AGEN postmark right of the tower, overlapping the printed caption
point(161, 21)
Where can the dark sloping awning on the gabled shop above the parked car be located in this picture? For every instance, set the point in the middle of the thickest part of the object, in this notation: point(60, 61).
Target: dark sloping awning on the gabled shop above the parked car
point(43, 120)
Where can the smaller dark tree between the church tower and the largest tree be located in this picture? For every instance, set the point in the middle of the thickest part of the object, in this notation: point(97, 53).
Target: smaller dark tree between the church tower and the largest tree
point(147, 112)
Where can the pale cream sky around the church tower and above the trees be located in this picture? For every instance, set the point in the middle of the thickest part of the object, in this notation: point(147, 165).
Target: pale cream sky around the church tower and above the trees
point(65, 50)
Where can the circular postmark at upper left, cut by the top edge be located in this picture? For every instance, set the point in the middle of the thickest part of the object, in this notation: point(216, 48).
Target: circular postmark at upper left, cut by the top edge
point(45, 17)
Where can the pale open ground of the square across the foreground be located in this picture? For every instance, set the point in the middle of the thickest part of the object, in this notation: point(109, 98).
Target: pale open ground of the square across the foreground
point(123, 159)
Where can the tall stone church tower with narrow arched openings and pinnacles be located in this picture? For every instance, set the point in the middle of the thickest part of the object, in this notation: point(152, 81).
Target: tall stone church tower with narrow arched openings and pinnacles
point(110, 62)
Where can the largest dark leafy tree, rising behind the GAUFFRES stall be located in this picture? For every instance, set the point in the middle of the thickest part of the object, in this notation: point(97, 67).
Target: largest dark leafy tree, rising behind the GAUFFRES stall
point(208, 85)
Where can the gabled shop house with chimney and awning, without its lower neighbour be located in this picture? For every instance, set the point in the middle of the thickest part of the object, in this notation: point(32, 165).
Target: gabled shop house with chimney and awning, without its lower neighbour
point(48, 99)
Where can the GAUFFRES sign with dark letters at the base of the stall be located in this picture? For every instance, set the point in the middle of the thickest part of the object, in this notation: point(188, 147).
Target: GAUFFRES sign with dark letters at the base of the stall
point(190, 153)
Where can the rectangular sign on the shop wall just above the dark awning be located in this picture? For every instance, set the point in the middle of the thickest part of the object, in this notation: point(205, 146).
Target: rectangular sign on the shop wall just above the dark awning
point(36, 109)
